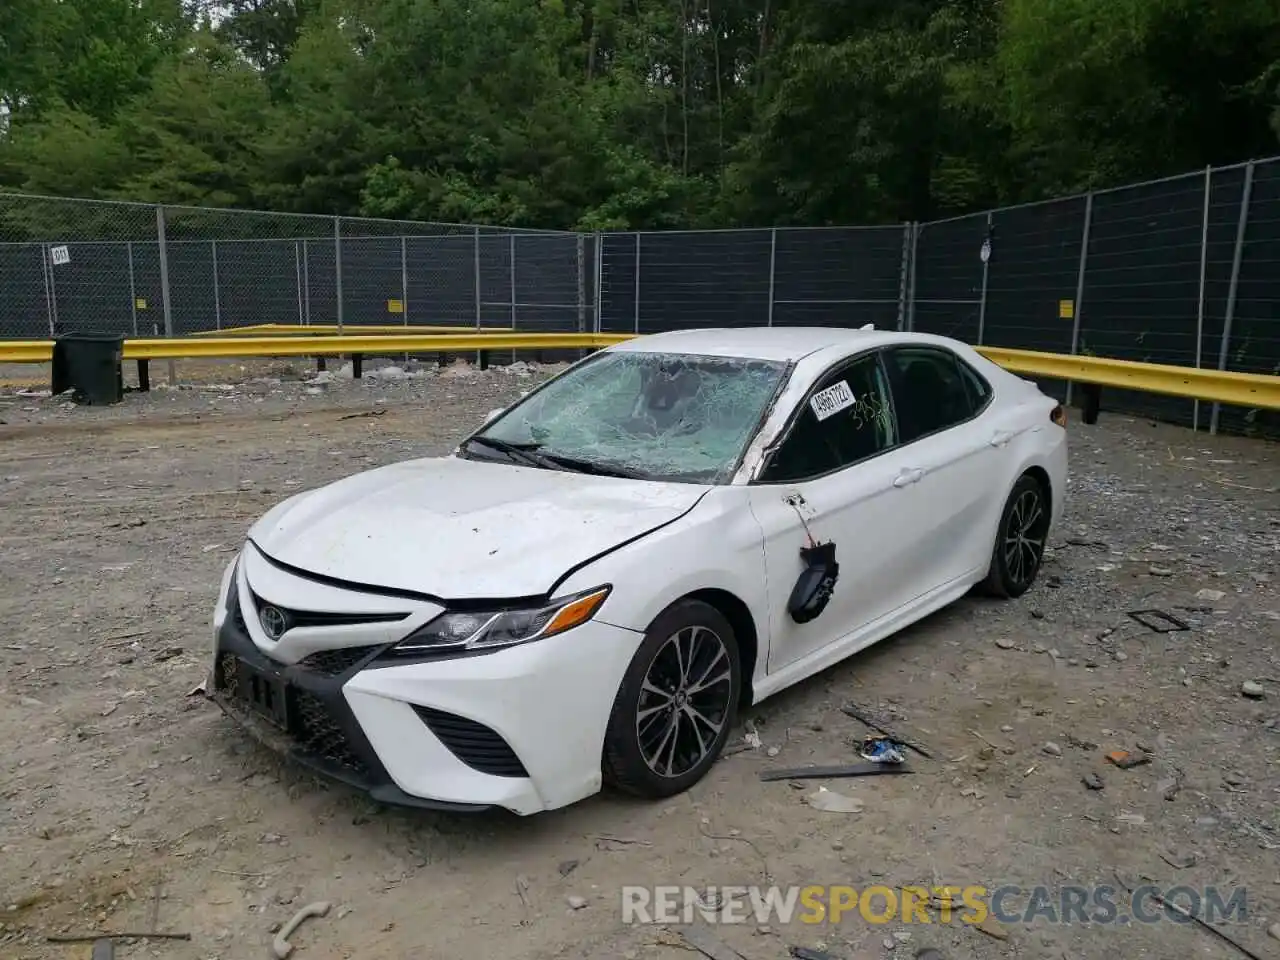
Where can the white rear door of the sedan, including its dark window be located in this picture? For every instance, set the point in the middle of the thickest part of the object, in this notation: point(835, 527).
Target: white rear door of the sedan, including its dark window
point(958, 447)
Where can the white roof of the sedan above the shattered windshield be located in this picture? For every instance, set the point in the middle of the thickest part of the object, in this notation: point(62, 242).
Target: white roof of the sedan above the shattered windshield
point(775, 344)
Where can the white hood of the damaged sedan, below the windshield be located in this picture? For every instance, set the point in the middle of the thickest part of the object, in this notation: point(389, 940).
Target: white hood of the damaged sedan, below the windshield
point(461, 529)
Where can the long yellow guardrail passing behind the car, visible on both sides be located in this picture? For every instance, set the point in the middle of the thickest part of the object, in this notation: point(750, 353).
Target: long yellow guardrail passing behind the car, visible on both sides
point(1259, 391)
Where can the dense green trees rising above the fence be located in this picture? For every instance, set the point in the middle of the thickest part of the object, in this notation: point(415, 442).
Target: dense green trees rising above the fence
point(607, 115)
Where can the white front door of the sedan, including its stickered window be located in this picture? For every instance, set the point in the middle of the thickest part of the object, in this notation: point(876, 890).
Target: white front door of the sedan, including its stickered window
point(840, 477)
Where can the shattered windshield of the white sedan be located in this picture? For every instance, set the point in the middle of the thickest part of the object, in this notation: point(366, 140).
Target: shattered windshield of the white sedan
point(662, 417)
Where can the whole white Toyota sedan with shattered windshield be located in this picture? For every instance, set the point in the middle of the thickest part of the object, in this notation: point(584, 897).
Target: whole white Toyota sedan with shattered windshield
point(591, 587)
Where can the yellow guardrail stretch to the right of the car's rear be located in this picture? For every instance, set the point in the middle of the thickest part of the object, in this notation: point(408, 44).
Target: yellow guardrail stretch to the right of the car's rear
point(1240, 390)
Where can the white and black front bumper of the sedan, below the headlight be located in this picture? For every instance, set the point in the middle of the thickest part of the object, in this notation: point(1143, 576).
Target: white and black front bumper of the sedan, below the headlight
point(520, 729)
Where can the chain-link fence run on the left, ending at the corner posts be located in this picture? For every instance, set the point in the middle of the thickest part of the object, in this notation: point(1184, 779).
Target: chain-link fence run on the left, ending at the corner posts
point(141, 271)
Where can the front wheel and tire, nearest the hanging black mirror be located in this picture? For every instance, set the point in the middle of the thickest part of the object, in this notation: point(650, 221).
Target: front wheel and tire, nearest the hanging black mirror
point(641, 756)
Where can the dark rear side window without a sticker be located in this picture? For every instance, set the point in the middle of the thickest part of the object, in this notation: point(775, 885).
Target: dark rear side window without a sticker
point(930, 392)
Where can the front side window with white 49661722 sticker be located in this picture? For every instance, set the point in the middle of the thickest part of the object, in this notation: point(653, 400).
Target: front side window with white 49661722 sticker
point(845, 419)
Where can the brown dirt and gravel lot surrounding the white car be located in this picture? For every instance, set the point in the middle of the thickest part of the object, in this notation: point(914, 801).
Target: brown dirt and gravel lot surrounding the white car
point(129, 804)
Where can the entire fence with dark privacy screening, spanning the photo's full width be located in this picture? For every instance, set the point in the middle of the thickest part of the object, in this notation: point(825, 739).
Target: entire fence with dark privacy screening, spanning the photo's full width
point(1185, 271)
